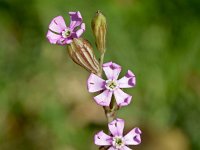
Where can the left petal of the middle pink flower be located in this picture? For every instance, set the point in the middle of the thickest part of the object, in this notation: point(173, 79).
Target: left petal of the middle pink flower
point(95, 83)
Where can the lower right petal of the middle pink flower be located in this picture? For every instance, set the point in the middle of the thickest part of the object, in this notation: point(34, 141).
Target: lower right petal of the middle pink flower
point(122, 98)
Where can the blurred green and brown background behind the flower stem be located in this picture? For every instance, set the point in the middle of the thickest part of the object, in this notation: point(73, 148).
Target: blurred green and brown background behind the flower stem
point(44, 104)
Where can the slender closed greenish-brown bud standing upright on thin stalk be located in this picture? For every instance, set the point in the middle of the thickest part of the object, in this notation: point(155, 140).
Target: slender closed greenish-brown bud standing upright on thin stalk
point(99, 31)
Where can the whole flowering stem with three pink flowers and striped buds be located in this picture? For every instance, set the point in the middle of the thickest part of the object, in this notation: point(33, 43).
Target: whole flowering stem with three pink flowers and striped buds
point(110, 90)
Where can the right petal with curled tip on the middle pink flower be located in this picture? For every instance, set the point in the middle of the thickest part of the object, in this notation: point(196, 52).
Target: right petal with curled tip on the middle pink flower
point(127, 81)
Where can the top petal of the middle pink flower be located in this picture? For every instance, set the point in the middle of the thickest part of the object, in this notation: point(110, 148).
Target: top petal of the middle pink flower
point(112, 70)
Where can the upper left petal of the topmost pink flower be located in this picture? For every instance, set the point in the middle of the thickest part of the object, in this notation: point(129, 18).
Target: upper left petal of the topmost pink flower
point(57, 24)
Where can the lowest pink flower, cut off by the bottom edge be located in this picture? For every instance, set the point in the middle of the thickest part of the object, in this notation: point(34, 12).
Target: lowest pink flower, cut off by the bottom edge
point(116, 141)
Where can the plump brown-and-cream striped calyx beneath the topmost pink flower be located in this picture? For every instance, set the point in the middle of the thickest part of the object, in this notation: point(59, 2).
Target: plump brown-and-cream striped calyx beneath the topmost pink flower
point(81, 52)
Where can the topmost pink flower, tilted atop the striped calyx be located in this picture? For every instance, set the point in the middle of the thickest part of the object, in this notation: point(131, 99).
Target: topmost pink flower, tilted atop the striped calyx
point(61, 34)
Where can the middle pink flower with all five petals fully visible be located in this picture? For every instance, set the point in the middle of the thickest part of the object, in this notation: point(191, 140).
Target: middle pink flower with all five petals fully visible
point(111, 85)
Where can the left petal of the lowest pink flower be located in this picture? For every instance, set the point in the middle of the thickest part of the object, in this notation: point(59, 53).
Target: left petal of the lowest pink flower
point(102, 139)
